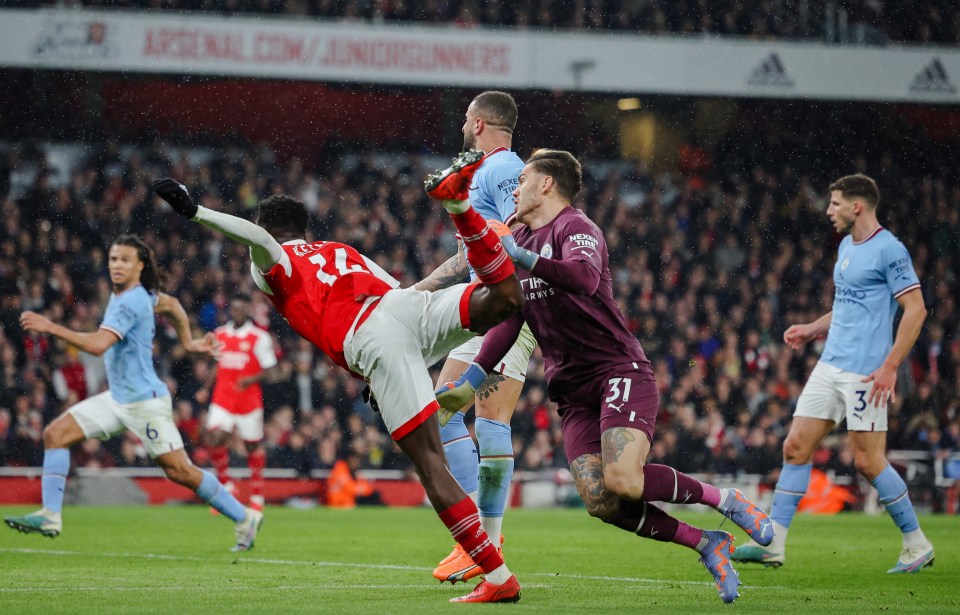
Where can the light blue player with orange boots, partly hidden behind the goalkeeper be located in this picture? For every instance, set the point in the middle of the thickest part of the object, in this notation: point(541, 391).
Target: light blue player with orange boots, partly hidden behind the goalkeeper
point(488, 126)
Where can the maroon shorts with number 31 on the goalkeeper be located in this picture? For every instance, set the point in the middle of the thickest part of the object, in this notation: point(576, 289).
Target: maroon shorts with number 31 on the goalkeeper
point(627, 398)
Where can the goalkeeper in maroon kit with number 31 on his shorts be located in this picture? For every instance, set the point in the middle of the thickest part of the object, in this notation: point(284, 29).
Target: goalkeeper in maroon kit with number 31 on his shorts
point(598, 374)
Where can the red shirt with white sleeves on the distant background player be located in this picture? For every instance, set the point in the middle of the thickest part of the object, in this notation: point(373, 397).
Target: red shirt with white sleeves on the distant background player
point(245, 351)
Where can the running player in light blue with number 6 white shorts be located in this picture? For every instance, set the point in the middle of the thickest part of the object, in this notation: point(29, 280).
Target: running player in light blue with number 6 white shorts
point(136, 399)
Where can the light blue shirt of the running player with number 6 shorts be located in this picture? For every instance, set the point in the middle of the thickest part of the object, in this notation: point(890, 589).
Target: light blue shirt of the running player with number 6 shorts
point(130, 372)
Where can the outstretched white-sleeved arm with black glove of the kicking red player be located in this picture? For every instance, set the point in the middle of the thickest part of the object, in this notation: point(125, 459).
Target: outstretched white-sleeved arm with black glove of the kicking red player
point(265, 251)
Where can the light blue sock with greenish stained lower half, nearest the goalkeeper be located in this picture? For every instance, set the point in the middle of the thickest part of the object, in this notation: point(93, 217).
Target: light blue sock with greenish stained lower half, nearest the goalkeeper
point(496, 472)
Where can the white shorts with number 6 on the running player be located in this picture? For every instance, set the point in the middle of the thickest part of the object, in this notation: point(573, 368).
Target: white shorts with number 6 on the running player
point(101, 417)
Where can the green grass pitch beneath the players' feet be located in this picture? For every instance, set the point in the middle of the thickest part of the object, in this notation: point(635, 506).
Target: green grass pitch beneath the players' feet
point(378, 560)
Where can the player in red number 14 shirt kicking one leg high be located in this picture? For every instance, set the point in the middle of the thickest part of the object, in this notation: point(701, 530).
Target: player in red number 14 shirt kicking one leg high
point(350, 308)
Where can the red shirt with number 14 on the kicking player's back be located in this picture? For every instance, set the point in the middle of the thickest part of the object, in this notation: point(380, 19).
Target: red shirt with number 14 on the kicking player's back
point(320, 288)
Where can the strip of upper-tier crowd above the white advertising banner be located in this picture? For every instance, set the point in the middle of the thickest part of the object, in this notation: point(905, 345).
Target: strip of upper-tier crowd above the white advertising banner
point(856, 21)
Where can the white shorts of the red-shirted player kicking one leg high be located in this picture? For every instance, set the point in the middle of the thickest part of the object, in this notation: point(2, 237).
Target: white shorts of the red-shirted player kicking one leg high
point(406, 332)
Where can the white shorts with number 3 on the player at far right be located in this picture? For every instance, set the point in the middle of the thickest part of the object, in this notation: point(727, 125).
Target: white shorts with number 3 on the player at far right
point(832, 394)
